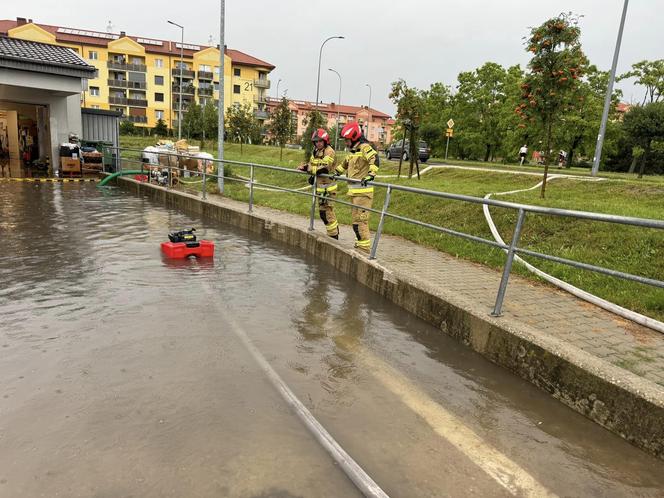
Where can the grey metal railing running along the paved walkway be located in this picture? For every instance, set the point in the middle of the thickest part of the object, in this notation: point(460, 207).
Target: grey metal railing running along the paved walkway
point(512, 248)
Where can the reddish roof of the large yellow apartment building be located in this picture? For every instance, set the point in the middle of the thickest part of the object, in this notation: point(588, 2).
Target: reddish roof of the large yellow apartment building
point(79, 36)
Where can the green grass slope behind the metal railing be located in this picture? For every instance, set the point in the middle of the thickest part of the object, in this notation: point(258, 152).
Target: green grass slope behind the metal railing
point(629, 249)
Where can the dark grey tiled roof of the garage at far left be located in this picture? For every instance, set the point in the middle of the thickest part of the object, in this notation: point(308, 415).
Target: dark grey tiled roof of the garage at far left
point(22, 51)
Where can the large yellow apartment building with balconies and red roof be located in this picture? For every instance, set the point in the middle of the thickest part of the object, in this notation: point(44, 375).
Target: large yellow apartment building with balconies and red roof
point(144, 77)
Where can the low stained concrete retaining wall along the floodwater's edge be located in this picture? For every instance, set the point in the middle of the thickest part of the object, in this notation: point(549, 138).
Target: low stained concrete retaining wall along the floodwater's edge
point(622, 402)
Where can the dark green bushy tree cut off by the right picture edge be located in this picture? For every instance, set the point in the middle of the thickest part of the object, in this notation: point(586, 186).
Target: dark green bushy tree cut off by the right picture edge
point(644, 125)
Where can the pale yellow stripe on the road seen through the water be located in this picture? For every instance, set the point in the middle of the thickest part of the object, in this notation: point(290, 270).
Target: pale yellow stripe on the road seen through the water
point(506, 472)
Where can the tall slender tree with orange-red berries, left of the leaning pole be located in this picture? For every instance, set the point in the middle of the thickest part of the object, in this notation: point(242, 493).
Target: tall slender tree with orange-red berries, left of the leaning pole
point(554, 71)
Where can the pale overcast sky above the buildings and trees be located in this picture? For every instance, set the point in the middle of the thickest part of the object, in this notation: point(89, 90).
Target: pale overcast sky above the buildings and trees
point(422, 41)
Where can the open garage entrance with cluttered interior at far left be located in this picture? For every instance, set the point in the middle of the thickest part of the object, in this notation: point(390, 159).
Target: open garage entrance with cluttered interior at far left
point(25, 144)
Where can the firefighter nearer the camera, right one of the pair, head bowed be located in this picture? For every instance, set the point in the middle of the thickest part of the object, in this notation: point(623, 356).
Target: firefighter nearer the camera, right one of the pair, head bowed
point(361, 164)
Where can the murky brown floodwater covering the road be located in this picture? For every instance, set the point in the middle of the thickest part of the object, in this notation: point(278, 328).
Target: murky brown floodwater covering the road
point(121, 374)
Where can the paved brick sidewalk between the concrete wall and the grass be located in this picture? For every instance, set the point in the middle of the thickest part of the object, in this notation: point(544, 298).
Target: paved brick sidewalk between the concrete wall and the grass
point(544, 311)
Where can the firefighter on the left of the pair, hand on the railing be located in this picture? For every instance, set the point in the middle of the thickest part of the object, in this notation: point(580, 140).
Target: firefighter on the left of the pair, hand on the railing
point(322, 162)
